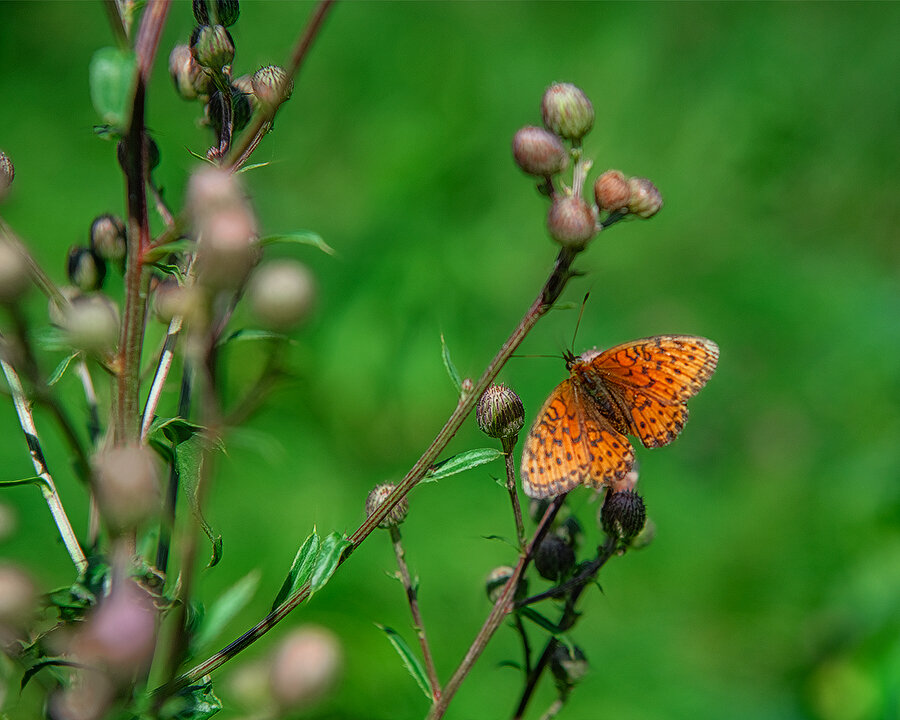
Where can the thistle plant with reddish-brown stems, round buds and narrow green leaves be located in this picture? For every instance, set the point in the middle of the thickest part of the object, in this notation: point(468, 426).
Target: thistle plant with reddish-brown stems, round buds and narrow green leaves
point(123, 639)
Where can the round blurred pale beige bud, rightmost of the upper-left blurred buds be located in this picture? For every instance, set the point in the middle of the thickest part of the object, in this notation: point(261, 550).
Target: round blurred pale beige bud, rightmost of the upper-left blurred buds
point(281, 294)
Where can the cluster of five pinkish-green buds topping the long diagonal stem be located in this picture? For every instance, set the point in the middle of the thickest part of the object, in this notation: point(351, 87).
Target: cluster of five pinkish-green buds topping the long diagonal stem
point(544, 152)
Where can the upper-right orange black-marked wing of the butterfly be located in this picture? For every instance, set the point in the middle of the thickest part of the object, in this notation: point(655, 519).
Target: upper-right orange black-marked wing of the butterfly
point(652, 379)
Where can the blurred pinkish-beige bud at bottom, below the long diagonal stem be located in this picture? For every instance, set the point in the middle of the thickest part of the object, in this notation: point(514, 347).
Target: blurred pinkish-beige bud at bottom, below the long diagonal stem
point(306, 667)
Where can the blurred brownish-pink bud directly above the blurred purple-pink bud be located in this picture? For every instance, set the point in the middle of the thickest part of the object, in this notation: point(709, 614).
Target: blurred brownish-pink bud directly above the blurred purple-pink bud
point(127, 485)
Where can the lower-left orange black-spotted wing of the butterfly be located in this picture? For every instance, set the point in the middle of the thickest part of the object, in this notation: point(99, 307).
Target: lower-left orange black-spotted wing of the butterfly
point(572, 444)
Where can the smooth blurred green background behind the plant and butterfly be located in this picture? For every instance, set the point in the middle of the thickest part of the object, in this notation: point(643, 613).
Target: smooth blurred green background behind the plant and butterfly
point(773, 586)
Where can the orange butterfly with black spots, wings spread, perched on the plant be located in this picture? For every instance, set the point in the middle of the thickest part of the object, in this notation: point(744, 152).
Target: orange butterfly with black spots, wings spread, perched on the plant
point(638, 388)
